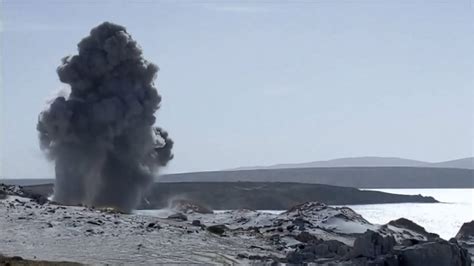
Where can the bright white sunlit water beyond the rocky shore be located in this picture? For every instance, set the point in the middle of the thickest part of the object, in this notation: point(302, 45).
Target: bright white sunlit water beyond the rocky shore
point(445, 218)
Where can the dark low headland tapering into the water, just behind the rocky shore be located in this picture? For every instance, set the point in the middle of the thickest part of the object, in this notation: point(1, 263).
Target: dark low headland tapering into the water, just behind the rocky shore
point(256, 195)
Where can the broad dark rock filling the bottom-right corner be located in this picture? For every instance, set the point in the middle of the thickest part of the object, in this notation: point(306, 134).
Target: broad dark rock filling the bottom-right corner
point(433, 253)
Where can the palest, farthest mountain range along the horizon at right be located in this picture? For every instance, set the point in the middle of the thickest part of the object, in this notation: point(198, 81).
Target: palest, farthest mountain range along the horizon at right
point(464, 163)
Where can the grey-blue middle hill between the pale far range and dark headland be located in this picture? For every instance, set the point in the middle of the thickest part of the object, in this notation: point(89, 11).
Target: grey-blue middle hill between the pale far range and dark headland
point(359, 177)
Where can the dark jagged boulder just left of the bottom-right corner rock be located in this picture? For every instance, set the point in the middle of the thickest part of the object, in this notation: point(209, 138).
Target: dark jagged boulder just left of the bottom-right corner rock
point(372, 244)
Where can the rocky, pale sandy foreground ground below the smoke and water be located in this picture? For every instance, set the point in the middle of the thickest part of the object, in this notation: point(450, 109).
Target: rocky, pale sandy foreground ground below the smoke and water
point(36, 229)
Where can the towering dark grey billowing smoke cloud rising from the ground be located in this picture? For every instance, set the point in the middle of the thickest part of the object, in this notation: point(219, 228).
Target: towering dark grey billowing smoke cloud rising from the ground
point(101, 137)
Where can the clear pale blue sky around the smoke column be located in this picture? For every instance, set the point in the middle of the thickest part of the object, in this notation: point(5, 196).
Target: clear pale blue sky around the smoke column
point(262, 82)
